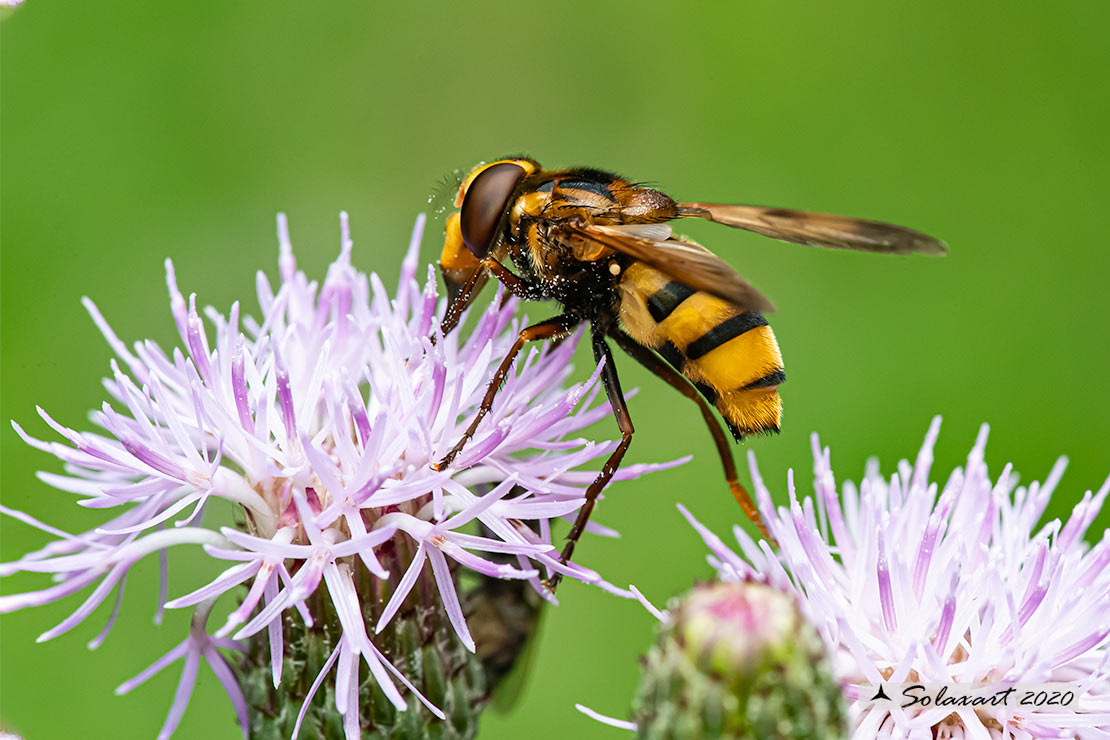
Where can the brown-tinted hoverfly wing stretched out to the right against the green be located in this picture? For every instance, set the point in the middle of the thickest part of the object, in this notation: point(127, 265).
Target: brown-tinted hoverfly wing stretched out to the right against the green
point(818, 229)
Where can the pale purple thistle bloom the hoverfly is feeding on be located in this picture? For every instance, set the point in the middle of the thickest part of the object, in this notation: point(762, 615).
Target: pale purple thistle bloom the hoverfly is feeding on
point(319, 423)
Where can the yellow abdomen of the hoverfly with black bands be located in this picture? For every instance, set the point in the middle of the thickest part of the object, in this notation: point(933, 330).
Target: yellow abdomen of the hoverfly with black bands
point(730, 356)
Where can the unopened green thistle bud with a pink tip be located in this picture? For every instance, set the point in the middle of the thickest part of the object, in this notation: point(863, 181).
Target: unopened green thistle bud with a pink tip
point(739, 661)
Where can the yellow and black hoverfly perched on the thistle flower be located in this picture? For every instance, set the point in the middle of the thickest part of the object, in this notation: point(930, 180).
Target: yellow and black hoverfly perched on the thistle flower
point(601, 247)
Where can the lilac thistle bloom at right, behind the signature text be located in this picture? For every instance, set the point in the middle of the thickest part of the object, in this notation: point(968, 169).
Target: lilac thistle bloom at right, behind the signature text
point(958, 589)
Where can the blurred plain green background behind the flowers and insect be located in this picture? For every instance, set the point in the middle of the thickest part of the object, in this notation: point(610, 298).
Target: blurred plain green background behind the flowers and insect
point(137, 131)
